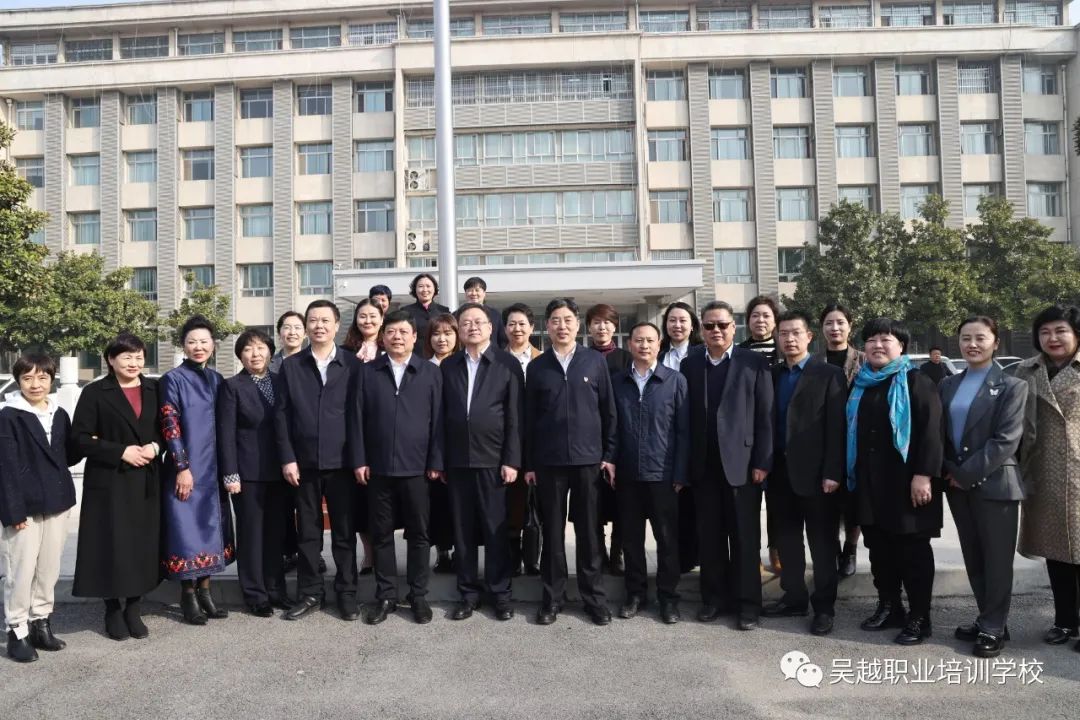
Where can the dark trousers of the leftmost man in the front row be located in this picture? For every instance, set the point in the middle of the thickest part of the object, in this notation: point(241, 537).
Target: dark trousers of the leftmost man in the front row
point(337, 486)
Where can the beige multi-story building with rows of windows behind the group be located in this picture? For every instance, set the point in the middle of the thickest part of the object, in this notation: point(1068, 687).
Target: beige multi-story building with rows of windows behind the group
point(633, 153)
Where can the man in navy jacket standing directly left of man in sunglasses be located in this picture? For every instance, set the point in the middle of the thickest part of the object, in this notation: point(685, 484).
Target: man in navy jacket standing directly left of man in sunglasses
point(654, 443)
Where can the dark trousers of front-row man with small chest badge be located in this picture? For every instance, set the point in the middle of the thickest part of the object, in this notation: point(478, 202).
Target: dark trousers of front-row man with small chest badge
point(583, 485)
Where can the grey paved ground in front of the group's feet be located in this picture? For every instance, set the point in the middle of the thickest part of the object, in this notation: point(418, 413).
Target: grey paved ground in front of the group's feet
point(321, 668)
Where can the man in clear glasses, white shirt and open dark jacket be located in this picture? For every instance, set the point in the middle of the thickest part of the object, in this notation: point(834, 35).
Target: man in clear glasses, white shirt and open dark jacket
point(483, 403)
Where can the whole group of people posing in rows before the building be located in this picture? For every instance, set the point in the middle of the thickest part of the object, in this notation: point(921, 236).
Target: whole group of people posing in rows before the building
point(456, 428)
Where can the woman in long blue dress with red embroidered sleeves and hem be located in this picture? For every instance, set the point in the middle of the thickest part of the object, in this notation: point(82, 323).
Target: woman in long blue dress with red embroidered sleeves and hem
point(197, 523)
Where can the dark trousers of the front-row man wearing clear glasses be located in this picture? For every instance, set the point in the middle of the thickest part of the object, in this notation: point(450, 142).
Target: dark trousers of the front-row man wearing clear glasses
point(479, 509)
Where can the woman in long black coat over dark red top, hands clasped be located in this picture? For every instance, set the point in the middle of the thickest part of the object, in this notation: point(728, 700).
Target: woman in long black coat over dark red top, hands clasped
point(116, 430)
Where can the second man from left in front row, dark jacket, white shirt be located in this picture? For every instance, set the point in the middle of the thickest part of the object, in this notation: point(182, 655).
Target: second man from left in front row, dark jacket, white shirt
point(398, 449)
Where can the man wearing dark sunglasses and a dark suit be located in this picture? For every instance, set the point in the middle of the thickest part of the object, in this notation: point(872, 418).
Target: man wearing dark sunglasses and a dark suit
point(731, 457)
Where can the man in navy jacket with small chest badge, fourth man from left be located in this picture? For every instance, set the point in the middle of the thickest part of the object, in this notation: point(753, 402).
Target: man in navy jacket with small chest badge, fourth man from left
point(571, 441)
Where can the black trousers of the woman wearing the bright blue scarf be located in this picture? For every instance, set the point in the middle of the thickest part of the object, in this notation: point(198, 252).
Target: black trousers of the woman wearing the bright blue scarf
point(901, 562)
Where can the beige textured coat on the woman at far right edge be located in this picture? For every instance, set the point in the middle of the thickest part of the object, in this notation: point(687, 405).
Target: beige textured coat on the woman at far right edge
point(1050, 526)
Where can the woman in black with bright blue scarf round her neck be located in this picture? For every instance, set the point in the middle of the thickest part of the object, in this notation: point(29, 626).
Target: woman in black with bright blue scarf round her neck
point(895, 456)
